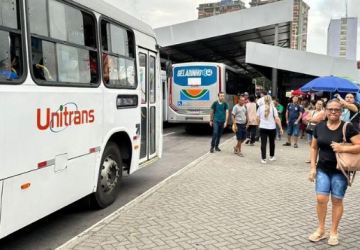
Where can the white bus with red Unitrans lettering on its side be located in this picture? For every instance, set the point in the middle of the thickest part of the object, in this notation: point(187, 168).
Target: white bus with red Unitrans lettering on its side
point(80, 102)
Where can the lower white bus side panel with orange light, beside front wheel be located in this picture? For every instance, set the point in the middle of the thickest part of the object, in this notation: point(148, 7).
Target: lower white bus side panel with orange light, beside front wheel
point(48, 192)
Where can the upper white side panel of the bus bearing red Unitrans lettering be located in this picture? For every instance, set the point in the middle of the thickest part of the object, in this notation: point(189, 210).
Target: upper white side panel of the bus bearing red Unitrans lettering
point(37, 130)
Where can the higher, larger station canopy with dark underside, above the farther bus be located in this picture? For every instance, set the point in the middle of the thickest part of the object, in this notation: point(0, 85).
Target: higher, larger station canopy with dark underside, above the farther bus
point(223, 38)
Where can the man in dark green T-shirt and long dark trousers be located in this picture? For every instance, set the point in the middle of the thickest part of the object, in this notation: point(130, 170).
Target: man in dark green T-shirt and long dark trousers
point(219, 117)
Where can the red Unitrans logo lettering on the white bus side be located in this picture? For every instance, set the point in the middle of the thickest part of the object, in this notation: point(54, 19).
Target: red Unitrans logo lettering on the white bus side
point(67, 115)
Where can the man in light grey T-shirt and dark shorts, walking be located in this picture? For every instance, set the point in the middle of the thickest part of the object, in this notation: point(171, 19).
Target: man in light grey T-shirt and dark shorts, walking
point(240, 118)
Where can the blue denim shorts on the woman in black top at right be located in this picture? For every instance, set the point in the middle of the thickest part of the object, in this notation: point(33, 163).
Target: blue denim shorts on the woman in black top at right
point(330, 182)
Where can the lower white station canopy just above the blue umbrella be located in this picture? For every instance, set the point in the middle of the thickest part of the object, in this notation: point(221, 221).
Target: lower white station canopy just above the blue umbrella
point(302, 66)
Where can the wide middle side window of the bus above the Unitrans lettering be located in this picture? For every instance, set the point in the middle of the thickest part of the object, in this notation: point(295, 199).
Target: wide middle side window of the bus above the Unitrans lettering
point(74, 59)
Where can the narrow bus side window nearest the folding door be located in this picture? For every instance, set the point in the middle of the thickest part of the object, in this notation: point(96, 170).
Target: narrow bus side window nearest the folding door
point(118, 56)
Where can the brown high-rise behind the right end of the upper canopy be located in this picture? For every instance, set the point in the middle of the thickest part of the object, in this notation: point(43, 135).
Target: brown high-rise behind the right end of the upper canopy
point(299, 24)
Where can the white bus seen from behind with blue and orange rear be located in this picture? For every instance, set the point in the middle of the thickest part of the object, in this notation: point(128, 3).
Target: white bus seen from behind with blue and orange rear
point(195, 86)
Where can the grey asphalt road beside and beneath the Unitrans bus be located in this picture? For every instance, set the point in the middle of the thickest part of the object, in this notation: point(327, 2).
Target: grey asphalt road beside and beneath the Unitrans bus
point(180, 148)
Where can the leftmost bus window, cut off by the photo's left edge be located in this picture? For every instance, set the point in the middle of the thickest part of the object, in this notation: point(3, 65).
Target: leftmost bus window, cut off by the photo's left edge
point(11, 59)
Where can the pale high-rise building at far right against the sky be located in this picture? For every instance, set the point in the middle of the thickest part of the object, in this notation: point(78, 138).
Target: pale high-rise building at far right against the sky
point(342, 38)
